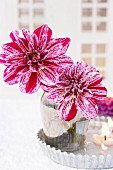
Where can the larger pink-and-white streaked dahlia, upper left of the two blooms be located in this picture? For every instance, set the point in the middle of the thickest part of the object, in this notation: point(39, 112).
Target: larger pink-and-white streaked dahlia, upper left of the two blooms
point(33, 58)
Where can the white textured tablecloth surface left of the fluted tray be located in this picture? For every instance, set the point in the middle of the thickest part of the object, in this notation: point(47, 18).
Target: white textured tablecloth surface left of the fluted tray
point(20, 121)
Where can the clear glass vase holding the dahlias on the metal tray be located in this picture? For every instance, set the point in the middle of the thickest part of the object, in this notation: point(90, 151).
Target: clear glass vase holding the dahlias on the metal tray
point(64, 135)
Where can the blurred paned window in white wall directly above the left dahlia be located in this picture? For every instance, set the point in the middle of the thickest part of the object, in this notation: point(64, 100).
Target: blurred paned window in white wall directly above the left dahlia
point(31, 15)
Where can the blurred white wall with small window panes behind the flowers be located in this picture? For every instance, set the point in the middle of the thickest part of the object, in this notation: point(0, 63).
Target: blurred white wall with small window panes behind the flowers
point(89, 24)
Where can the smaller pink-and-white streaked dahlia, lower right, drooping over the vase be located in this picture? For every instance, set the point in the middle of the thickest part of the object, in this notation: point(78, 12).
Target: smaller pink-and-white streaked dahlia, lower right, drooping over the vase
point(78, 87)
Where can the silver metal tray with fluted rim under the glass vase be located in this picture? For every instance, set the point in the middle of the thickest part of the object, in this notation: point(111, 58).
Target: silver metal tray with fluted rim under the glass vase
point(91, 157)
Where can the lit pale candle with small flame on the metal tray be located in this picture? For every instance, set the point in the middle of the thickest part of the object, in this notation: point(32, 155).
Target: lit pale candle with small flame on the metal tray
point(104, 139)
